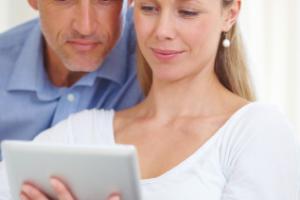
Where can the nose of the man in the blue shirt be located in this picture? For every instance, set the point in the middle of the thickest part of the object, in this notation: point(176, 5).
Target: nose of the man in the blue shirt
point(85, 20)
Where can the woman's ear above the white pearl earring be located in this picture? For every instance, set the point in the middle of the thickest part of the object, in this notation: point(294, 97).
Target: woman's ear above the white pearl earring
point(231, 15)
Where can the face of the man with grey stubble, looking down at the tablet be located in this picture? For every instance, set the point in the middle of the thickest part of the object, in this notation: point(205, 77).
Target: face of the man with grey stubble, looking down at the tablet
point(79, 33)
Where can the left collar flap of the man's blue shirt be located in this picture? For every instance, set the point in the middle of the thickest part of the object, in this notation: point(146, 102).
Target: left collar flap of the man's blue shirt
point(29, 72)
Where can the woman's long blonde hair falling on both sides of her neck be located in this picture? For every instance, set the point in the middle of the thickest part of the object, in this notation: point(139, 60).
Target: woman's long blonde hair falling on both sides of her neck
point(230, 65)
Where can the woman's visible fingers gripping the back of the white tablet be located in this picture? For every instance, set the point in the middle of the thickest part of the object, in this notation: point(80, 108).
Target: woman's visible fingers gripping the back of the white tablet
point(31, 192)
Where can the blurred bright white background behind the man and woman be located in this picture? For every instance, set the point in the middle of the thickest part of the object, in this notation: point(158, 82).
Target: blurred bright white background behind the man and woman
point(271, 32)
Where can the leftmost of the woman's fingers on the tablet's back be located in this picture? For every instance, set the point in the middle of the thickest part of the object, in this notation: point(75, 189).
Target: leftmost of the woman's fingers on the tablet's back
point(29, 192)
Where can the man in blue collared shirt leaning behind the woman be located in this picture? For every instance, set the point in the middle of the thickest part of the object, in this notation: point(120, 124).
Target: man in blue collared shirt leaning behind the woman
point(68, 60)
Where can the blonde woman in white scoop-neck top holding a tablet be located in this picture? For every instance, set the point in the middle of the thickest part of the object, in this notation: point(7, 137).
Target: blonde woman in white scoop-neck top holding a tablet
point(201, 137)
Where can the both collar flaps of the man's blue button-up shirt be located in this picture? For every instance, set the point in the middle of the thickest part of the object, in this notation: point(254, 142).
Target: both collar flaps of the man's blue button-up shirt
point(29, 72)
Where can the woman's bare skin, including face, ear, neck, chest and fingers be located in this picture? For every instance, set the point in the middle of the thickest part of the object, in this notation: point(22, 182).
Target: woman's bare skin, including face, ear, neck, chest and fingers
point(179, 39)
